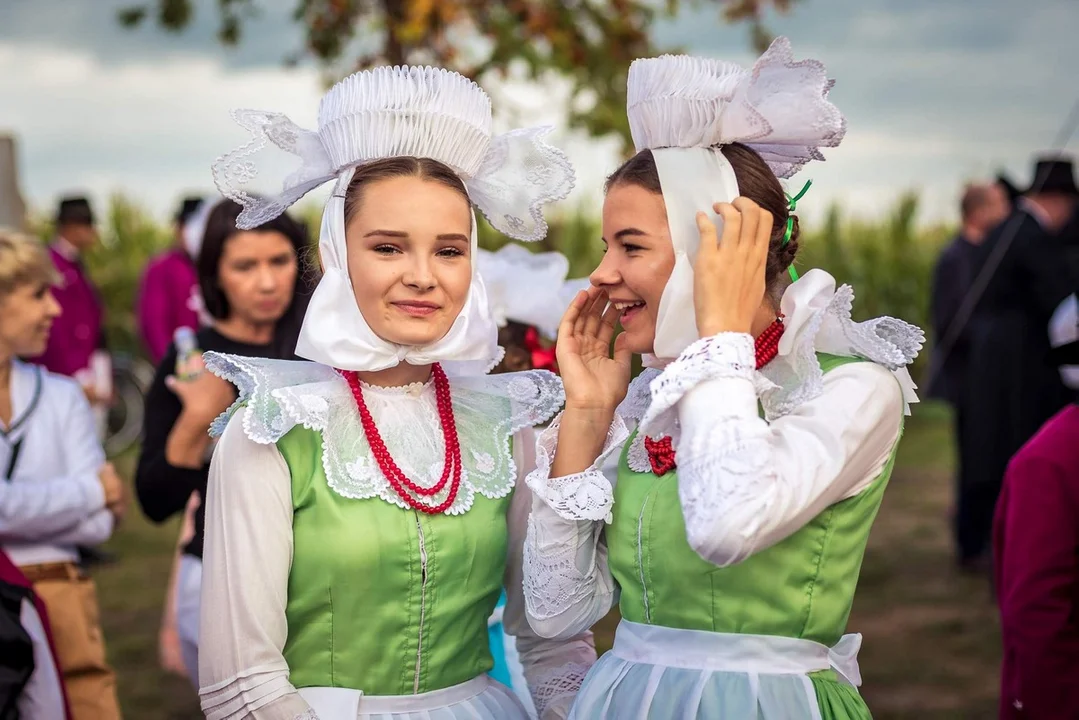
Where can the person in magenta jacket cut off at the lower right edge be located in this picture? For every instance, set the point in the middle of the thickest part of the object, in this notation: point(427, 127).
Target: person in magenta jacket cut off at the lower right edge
point(1036, 562)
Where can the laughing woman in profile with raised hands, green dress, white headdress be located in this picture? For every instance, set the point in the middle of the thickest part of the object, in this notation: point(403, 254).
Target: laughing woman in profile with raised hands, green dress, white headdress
point(768, 420)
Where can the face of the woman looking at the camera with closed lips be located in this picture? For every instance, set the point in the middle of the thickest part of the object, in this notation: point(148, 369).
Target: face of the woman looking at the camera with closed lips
point(409, 259)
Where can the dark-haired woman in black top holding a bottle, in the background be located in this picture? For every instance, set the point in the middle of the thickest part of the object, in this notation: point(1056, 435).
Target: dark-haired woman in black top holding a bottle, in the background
point(254, 288)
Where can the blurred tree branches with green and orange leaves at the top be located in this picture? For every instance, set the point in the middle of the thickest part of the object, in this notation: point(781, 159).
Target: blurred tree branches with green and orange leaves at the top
point(590, 43)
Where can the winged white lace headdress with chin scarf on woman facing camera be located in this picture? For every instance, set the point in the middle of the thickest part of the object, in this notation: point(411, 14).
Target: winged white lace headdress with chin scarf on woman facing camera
point(392, 113)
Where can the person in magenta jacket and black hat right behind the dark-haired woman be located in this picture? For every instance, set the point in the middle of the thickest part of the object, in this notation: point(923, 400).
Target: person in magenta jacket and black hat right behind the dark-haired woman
point(169, 289)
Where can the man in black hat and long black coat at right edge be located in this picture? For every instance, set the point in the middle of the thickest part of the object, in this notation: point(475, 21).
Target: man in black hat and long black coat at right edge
point(1012, 386)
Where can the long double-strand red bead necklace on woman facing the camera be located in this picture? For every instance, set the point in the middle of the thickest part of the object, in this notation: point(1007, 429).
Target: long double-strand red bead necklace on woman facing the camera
point(403, 486)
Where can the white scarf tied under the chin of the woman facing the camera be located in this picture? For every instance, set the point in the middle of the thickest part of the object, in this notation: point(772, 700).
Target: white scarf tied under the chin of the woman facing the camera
point(336, 334)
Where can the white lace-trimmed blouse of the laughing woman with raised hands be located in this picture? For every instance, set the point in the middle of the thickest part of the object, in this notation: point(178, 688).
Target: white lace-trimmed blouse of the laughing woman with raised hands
point(745, 483)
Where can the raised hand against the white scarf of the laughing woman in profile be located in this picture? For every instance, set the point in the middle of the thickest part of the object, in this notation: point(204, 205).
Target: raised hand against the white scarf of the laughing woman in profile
point(729, 275)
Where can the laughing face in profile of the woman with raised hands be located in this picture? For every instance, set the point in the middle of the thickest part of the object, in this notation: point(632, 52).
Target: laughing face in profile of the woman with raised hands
point(638, 262)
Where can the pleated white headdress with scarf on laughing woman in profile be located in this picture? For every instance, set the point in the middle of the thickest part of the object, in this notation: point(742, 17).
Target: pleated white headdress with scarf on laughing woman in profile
point(682, 110)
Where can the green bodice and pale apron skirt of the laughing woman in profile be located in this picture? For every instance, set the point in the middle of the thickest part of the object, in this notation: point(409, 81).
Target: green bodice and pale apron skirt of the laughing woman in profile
point(802, 588)
